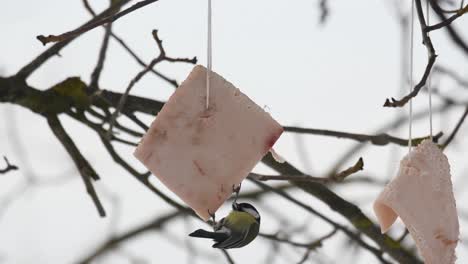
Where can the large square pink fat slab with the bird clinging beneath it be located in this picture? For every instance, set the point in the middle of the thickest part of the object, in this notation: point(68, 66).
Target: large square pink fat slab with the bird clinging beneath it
point(199, 153)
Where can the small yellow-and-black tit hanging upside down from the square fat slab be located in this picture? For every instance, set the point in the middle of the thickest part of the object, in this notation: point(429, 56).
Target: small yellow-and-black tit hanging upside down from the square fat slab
point(236, 230)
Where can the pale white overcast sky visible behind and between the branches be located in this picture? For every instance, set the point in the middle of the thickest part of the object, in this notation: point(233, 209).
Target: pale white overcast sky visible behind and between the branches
point(335, 76)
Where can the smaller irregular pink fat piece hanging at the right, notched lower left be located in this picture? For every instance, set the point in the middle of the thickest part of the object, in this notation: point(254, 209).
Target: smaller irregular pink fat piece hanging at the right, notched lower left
point(421, 195)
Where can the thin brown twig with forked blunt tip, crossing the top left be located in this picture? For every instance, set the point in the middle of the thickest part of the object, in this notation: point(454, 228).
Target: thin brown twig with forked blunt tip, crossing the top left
point(110, 18)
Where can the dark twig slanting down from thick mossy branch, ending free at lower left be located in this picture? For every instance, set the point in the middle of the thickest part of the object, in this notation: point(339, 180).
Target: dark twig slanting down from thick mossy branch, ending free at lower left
point(86, 171)
